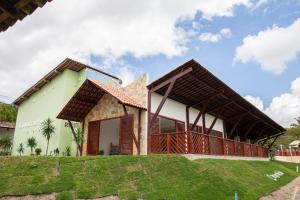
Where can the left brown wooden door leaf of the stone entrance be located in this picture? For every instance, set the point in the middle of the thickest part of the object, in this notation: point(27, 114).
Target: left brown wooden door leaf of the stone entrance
point(93, 138)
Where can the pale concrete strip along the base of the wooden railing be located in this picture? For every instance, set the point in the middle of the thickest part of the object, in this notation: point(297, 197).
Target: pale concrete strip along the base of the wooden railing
point(201, 156)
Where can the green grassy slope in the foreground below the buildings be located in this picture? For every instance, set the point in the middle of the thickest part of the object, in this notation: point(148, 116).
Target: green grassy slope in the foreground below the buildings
point(152, 177)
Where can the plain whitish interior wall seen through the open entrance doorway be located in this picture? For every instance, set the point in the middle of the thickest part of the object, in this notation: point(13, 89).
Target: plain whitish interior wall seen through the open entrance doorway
point(109, 133)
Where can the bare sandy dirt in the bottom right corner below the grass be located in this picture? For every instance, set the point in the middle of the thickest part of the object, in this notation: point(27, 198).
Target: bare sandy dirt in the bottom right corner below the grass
point(290, 191)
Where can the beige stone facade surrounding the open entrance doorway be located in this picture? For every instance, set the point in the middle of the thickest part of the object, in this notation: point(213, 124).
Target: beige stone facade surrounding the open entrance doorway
point(109, 107)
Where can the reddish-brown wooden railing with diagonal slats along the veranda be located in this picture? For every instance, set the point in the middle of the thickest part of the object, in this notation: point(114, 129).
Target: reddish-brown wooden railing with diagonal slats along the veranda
point(198, 143)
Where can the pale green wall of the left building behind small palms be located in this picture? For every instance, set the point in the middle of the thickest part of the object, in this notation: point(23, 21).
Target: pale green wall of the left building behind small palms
point(48, 102)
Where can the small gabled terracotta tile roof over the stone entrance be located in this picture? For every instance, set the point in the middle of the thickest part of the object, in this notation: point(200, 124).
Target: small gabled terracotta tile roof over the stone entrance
point(88, 95)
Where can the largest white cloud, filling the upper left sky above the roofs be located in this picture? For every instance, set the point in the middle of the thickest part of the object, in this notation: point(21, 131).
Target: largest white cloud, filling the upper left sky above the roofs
point(79, 29)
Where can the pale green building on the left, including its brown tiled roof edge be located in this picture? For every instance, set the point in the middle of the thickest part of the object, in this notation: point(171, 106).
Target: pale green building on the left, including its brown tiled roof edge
point(46, 98)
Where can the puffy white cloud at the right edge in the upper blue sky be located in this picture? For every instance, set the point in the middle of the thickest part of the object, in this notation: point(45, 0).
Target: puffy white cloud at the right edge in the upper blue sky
point(272, 48)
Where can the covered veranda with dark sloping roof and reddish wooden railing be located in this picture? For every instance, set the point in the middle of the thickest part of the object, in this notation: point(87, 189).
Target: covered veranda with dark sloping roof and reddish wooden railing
point(194, 86)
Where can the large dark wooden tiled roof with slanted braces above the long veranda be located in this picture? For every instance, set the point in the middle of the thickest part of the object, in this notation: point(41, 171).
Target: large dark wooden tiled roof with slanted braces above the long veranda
point(194, 86)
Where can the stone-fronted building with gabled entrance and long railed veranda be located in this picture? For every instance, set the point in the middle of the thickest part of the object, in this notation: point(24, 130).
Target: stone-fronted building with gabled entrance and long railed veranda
point(188, 110)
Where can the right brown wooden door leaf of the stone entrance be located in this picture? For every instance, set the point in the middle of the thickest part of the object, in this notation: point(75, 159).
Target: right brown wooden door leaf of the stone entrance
point(126, 132)
